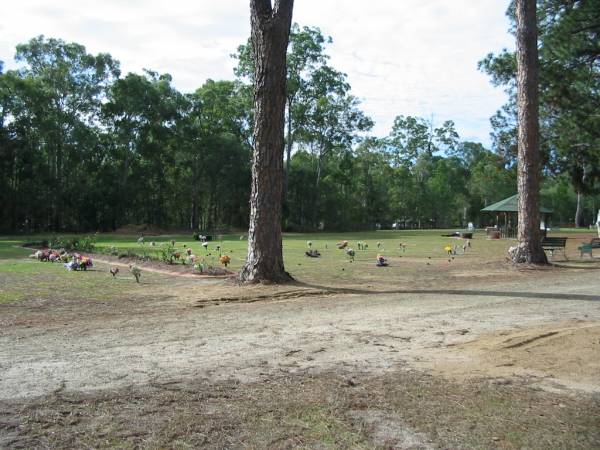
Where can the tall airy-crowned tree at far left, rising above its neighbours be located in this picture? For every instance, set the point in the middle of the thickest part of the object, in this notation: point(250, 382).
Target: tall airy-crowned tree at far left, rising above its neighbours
point(63, 87)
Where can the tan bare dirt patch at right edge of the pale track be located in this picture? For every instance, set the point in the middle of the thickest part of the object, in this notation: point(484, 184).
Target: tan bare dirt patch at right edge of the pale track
point(567, 353)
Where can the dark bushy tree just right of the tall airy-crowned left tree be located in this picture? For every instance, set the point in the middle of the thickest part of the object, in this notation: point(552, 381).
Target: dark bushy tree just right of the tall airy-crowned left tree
point(140, 114)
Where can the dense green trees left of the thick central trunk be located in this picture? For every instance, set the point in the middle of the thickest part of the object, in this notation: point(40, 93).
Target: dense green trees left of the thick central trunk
point(84, 149)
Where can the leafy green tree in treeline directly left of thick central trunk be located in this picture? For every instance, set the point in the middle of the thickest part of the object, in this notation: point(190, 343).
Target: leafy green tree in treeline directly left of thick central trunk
point(213, 152)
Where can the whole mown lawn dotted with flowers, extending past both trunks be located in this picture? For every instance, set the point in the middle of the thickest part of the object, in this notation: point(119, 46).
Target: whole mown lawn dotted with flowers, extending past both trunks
point(415, 256)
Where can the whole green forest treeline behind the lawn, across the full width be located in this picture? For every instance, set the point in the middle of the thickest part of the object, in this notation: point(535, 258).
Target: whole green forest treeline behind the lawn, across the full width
point(84, 147)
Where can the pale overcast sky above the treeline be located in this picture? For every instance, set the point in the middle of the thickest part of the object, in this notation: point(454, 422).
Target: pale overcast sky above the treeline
point(409, 57)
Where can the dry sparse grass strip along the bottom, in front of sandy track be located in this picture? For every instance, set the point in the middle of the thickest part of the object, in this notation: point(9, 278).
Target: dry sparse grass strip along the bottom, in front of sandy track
point(401, 409)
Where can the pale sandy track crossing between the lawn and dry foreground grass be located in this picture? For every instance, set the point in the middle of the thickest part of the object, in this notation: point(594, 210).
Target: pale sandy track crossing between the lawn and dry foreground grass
point(544, 327)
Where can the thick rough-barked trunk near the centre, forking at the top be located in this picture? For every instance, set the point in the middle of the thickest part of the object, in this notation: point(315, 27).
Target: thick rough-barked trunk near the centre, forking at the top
point(270, 27)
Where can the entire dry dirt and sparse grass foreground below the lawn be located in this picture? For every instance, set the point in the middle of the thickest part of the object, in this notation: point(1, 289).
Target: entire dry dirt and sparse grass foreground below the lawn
point(92, 361)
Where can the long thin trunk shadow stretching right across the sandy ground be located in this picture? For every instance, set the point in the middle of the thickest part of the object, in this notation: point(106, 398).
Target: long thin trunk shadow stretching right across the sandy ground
point(464, 292)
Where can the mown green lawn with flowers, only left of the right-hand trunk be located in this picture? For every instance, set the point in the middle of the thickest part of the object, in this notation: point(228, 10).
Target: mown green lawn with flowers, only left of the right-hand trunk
point(423, 252)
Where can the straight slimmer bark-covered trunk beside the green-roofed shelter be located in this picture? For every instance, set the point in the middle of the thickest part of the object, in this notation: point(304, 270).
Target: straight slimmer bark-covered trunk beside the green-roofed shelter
point(529, 249)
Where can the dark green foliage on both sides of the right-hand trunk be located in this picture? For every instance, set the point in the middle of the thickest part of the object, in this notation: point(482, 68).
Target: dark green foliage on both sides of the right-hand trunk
point(569, 51)
